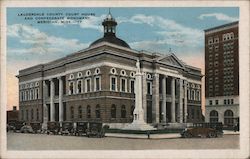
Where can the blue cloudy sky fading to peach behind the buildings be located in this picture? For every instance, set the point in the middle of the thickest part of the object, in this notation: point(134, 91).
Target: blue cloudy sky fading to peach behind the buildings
point(152, 29)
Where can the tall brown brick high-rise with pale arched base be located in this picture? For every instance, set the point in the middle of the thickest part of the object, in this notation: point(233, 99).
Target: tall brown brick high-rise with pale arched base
point(222, 74)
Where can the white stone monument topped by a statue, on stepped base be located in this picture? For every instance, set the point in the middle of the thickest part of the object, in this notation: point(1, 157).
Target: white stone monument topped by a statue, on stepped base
point(138, 114)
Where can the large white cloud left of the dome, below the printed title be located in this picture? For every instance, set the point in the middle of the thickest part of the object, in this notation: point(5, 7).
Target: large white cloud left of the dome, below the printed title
point(40, 42)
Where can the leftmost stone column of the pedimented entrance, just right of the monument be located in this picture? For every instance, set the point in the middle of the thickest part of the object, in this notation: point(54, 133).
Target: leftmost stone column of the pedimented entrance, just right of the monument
point(155, 99)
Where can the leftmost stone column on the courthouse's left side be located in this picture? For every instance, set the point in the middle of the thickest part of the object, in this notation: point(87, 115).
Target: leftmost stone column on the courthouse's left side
point(45, 109)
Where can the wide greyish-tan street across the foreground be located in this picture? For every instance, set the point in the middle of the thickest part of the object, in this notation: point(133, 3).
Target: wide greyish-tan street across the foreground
point(19, 141)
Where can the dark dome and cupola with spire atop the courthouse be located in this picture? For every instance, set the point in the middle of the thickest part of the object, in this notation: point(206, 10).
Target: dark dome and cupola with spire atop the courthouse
point(109, 27)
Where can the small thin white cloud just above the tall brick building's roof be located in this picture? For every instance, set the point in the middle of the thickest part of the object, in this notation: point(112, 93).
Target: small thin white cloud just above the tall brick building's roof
point(218, 16)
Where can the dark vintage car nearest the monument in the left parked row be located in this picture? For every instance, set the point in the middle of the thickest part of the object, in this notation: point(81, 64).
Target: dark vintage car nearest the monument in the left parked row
point(96, 129)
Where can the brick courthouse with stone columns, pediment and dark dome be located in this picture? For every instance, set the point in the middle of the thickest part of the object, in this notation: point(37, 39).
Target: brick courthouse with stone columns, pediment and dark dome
point(97, 84)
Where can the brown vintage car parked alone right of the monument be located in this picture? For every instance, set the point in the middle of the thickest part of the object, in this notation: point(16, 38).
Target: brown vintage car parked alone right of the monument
point(210, 130)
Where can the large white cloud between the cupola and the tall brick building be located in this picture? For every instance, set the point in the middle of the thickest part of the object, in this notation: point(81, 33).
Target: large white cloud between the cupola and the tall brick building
point(171, 32)
